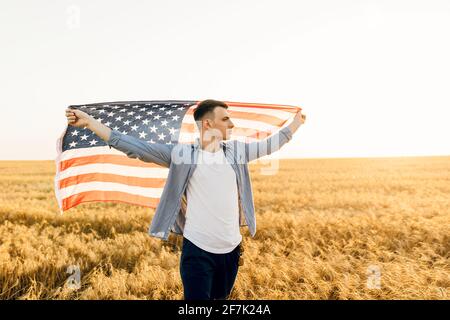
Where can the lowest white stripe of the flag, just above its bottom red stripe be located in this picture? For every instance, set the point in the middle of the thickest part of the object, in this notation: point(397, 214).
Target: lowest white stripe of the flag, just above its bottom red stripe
point(110, 186)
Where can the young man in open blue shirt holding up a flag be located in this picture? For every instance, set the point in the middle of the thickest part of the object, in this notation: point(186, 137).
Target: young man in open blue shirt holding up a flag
point(207, 195)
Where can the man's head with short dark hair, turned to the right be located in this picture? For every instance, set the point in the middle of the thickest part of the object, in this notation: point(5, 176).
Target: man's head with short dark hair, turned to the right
point(212, 118)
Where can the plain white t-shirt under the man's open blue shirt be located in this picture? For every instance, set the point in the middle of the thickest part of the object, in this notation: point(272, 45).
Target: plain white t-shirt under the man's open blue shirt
point(212, 214)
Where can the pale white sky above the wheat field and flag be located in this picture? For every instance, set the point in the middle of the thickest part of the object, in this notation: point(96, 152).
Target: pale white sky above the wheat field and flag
point(373, 77)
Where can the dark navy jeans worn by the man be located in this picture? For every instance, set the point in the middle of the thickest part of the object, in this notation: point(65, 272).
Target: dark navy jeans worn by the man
point(207, 275)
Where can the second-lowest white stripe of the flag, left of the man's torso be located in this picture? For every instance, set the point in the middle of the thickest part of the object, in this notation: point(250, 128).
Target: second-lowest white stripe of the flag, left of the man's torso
point(131, 171)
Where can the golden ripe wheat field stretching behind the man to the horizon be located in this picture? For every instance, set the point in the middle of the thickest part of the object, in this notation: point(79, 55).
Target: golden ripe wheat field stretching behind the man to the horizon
point(325, 229)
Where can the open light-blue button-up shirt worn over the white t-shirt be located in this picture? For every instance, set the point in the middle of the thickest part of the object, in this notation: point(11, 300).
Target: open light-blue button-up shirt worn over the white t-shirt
point(181, 159)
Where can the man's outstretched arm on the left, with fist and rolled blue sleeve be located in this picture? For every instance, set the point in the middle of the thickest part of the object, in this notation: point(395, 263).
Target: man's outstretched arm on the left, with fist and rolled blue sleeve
point(131, 146)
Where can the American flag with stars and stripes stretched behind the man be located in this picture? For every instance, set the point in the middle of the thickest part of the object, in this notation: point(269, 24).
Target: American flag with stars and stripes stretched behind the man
point(87, 169)
